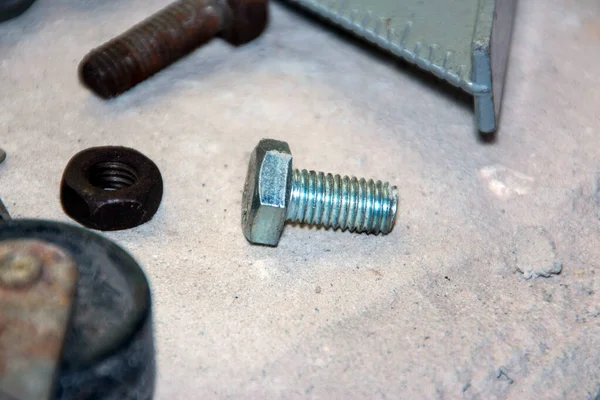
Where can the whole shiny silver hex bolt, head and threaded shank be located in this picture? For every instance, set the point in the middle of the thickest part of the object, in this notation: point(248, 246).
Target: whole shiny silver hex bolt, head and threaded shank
point(275, 193)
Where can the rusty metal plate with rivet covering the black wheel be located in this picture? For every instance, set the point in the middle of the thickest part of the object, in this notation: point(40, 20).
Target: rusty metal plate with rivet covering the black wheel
point(37, 288)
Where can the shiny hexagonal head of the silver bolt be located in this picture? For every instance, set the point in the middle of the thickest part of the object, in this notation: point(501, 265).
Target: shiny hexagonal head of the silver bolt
point(267, 192)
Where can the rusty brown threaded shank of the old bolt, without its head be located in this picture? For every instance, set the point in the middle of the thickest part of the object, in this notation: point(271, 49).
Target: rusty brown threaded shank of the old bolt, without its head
point(150, 46)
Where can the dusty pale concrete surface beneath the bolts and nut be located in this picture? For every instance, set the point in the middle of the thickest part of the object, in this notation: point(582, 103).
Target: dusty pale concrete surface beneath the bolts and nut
point(440, 308)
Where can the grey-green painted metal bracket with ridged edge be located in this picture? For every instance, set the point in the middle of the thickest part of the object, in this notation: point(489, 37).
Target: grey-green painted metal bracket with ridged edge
point(464, 42)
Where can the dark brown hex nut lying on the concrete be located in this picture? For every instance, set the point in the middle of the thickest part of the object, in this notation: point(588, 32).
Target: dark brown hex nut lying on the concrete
point(111, 188)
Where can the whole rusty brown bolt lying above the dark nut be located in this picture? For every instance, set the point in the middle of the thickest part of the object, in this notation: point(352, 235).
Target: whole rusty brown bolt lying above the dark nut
point(167, 36)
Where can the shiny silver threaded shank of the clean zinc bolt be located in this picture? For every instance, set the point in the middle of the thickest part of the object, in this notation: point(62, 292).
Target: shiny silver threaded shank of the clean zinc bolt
point(345, 203)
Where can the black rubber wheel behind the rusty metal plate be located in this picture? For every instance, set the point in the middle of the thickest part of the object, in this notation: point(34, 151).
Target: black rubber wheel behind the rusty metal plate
point(109, 348)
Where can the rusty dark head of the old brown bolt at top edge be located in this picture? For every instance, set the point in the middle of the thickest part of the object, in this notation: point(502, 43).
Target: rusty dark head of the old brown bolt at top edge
point(249, 19)
